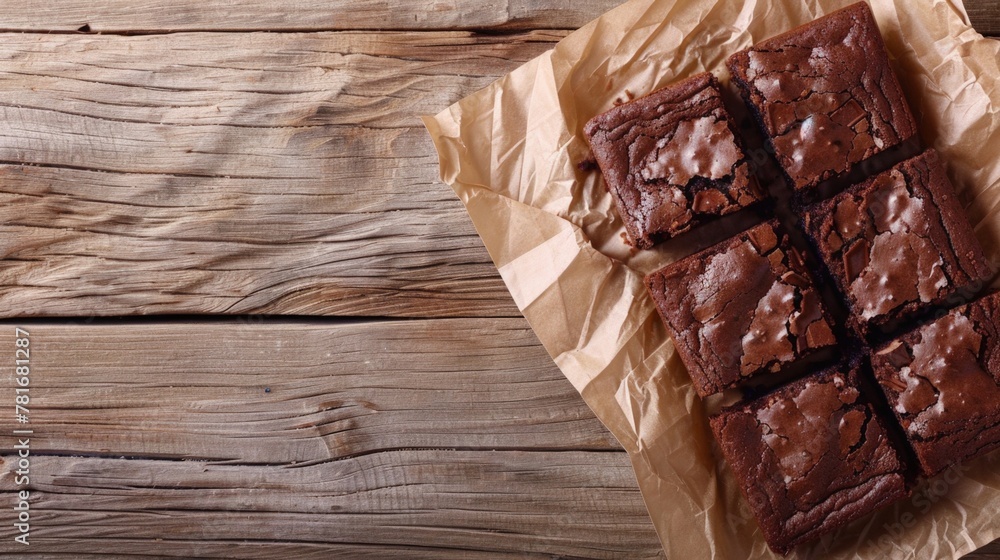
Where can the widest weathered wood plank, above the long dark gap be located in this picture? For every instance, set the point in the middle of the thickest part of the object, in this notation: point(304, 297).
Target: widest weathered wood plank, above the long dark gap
point(227, 173)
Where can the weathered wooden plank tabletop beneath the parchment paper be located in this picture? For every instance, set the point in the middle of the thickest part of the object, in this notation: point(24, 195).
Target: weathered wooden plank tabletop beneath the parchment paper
point(259, 325)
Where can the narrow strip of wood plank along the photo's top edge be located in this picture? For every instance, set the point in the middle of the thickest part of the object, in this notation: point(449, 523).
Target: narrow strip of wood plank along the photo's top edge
point(124, 16)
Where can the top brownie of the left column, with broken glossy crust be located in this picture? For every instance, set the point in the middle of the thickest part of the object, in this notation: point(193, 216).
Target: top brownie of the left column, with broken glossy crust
point(672, 160)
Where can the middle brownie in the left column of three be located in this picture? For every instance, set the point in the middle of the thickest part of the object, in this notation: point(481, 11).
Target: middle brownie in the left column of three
point(744, 307)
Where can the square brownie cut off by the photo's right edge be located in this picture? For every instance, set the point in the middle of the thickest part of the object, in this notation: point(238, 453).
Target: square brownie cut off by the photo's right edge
point(943, 383)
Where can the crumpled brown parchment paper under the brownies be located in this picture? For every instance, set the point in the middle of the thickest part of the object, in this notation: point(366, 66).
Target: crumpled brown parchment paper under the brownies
point(511, 152)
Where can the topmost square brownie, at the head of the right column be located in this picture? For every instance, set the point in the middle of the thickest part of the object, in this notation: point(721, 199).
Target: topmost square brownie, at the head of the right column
point(824, 95)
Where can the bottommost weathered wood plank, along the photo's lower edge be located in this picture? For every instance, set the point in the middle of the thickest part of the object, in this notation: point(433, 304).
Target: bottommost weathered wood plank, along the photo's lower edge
point(423, 504)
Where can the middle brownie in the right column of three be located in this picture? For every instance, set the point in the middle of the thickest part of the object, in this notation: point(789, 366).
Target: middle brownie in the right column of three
point(898, 244)
